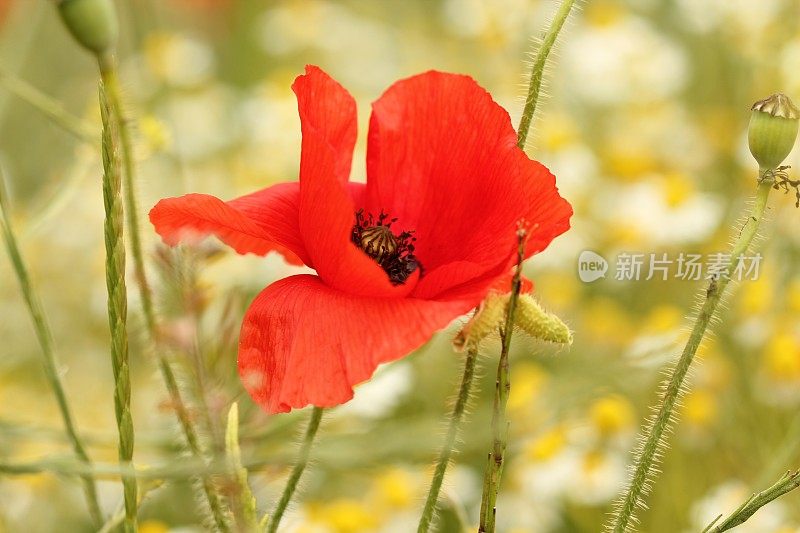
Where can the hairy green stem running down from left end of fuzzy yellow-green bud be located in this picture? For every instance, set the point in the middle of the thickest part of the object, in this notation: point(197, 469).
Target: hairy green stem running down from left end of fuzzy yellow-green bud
point(446, 452)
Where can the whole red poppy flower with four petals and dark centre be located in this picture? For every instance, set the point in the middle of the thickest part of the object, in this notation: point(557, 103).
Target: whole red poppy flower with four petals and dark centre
point(398, 258)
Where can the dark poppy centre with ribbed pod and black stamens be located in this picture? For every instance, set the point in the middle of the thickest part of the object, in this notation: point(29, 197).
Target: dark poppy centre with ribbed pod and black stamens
point(395, 253)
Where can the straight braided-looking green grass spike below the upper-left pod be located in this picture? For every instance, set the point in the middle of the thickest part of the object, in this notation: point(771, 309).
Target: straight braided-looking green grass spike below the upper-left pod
point(118, 303)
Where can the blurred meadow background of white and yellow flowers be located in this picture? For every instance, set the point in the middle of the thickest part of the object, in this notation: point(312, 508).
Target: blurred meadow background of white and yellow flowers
point(644, 126)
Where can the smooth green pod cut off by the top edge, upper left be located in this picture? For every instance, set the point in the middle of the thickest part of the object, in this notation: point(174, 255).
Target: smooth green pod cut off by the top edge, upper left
point(93, 23)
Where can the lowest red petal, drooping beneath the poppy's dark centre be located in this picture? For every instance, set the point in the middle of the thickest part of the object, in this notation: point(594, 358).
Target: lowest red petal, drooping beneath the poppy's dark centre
point(303, 342)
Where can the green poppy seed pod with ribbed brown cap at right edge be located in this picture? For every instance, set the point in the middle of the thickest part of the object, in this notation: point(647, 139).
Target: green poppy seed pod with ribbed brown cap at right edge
point(773, 130)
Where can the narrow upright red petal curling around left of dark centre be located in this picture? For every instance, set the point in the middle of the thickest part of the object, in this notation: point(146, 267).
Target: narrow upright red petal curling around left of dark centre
point(327, 211)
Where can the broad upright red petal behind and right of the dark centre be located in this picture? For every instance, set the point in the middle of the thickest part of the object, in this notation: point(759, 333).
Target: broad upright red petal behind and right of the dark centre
point(442, 157)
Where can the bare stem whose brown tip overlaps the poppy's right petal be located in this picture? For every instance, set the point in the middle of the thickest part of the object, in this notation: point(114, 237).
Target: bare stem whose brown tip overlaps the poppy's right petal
point(494, 467)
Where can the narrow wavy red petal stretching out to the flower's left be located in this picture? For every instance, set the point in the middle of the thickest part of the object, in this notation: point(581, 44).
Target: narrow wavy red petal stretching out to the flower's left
point(257, 223)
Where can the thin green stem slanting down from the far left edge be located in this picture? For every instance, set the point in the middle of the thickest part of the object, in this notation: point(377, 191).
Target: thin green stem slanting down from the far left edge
point(45, 338)
